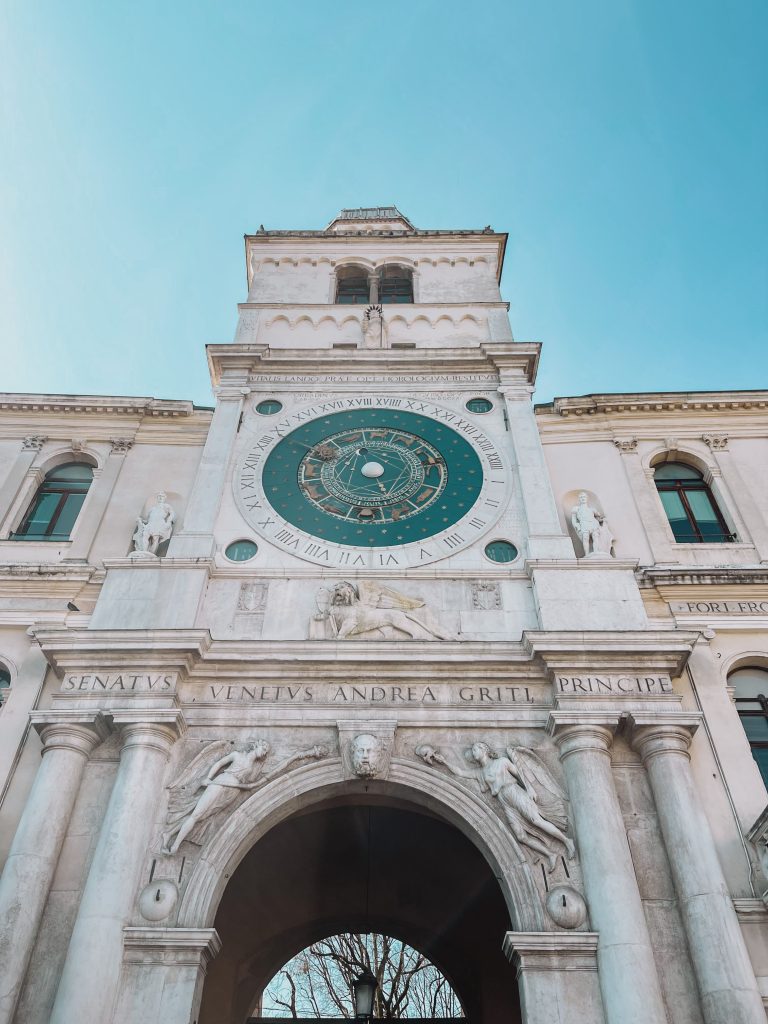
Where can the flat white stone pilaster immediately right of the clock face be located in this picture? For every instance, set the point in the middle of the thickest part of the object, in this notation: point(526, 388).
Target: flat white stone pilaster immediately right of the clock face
point(546, 537)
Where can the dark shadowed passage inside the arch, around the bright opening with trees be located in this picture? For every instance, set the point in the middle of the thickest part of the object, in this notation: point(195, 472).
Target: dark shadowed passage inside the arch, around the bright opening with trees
point(383, 867)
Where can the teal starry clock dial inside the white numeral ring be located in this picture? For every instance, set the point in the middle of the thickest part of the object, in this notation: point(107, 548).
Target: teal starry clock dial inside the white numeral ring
point(373, 478)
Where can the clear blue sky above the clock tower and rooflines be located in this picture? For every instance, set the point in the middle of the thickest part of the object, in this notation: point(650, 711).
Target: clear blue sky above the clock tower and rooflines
point(623, 145)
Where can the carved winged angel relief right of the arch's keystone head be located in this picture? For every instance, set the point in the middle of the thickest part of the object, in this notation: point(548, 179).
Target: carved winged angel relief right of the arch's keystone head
point(532, 801)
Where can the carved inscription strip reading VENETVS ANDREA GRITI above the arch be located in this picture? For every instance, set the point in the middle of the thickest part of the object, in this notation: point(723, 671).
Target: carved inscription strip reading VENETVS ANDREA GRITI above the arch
point(351, 694)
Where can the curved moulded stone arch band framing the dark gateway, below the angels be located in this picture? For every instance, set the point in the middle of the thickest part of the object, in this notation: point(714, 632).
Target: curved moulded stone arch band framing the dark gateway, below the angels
point(303, 788)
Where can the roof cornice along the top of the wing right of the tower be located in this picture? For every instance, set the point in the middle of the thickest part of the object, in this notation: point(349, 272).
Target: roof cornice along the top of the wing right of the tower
point(653, 402)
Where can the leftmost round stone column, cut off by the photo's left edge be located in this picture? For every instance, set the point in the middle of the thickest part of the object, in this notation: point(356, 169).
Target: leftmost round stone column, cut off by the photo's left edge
point(68, 739)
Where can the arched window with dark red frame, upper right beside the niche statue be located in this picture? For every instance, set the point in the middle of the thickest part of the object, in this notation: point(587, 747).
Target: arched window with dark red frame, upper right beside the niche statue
point(691, 508)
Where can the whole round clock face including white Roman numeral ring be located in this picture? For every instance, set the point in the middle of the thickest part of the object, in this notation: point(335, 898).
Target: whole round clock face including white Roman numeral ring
point(372, 487)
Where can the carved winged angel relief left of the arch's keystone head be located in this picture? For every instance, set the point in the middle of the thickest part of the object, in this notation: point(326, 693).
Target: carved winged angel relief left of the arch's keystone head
point(214, 781)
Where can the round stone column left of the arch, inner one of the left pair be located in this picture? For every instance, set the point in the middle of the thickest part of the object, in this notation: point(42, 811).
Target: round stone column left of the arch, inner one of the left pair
point(90, 980)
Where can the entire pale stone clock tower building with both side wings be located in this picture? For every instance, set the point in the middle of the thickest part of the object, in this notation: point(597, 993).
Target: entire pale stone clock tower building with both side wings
point(550, 744)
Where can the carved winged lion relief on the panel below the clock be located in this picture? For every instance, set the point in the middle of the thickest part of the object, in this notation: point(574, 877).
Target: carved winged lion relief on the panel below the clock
point(371, 611)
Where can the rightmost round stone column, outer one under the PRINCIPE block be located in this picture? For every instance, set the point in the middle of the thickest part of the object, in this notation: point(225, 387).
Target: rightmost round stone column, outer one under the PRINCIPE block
point(727, 982)
